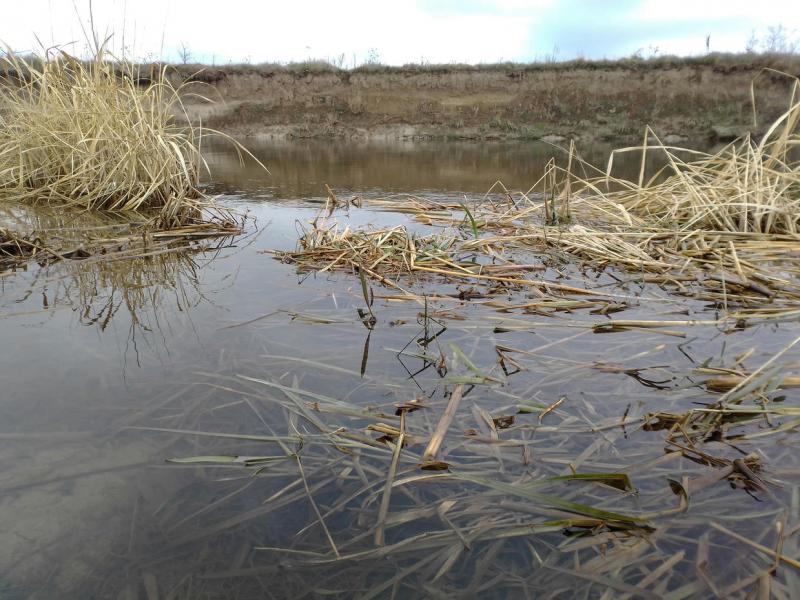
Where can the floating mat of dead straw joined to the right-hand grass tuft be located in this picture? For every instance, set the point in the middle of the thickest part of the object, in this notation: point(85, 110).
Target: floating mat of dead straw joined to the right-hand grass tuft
point(719, 227)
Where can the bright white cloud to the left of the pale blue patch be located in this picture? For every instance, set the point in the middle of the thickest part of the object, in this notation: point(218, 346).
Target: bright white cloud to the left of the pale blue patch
point(235, 30)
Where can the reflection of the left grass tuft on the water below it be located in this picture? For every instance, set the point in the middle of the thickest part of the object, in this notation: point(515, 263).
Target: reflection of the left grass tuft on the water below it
point(105, 273)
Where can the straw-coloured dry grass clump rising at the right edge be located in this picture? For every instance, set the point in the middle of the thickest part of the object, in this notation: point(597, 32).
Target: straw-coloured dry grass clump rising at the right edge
point(748, 187)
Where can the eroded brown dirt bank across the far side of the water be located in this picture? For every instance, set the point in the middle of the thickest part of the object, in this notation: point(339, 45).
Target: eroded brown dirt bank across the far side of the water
point(679, 98)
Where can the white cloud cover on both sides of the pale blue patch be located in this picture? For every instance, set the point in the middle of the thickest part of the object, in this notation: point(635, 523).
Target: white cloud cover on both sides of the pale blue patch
point(398, 32)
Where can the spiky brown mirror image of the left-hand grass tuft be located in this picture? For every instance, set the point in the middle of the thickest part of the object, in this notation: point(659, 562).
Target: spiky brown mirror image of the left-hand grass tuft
point(103, 264)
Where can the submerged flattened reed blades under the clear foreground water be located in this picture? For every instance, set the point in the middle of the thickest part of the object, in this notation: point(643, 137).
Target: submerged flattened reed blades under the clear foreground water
point(351, 501)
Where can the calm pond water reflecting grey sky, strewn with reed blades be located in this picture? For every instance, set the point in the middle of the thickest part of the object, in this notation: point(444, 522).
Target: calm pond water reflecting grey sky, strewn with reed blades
point(108, 370)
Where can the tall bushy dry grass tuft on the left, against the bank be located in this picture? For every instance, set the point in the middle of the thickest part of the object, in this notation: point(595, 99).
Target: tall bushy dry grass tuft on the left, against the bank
point(86, 134)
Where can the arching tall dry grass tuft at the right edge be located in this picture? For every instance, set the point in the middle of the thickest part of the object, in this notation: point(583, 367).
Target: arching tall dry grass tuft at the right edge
point(747, 187)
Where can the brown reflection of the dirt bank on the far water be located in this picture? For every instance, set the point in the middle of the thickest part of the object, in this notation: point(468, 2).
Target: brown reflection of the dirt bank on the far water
point(302, 168)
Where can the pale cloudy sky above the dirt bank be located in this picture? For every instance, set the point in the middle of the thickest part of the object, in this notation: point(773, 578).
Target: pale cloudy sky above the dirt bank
point(351, 32)
